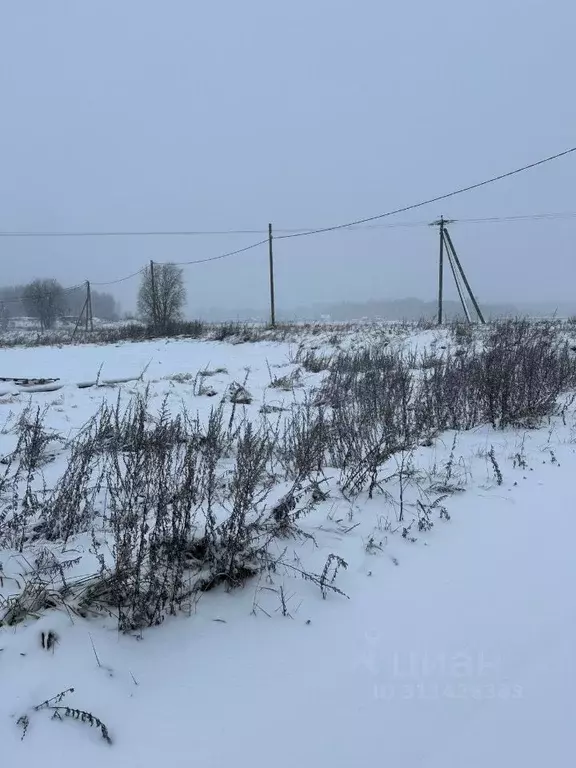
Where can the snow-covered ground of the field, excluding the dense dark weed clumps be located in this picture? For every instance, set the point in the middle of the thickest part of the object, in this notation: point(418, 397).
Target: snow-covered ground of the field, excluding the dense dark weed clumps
point(423, 620)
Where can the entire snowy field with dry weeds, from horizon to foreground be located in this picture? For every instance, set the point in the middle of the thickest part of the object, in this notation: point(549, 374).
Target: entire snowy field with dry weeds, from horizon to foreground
point(322, 547)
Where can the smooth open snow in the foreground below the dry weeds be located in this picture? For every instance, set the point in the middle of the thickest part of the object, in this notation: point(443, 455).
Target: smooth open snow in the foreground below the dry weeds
point(462, 656)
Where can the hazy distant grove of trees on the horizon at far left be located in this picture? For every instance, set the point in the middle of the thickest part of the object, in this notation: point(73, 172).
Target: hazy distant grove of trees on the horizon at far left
point(46, 301)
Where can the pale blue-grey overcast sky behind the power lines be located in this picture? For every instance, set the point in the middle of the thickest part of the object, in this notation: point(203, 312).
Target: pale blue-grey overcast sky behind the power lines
point(175, 114)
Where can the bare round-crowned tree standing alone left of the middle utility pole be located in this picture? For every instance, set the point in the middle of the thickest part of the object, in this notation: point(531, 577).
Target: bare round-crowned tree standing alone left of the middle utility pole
point(162, 295)
